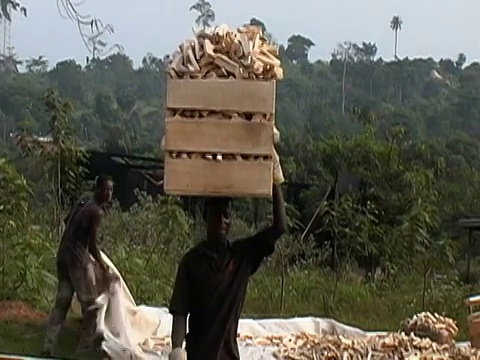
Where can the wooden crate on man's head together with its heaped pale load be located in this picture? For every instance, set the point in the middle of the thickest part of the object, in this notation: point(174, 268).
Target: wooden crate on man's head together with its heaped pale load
point(220, 108)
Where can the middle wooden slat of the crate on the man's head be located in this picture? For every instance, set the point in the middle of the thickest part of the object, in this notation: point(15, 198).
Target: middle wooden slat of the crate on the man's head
point(222, 136)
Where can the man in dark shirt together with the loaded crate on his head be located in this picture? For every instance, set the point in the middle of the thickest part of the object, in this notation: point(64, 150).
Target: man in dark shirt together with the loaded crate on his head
point(219, 141)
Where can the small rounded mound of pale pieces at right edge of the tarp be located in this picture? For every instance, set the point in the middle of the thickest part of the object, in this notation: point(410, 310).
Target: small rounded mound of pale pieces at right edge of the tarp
point(434, 326)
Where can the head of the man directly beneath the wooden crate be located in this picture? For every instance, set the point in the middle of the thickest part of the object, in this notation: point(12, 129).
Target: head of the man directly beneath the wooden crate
point(217, 216)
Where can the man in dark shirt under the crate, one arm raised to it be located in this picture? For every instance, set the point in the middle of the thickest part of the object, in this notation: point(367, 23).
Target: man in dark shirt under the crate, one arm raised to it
point(212, 280)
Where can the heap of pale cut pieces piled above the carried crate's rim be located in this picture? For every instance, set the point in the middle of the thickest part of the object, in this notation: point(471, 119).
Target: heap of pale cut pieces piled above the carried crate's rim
point(226, 53)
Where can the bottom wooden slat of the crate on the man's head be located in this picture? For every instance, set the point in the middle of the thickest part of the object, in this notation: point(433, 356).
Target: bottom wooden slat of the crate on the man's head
point(199, 177)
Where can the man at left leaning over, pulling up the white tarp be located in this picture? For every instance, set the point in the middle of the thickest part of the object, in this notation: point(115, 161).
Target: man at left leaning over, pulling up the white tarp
point(76, 270)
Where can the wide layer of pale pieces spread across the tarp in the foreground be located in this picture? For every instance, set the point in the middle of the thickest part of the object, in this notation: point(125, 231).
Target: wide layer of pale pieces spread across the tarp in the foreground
point(376, 347)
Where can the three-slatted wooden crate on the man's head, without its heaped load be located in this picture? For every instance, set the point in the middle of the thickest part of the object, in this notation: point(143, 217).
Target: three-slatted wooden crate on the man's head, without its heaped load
point(198, 176)
